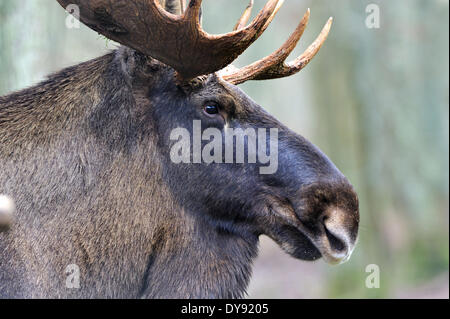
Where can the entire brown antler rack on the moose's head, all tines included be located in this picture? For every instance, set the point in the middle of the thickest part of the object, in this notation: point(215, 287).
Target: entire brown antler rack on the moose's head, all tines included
point(180, 42)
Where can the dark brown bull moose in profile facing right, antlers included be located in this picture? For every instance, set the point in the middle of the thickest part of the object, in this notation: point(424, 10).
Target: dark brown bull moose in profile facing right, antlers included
point(85, 156)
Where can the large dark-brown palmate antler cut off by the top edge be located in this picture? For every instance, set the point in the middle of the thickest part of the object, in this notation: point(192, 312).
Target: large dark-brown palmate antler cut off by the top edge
point(176, 40)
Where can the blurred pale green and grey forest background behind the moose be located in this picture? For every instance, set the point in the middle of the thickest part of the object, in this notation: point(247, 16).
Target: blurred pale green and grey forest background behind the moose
point(375, 100)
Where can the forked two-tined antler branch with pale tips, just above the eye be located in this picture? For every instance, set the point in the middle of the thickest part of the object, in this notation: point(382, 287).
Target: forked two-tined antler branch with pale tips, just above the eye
point(274, 66)
